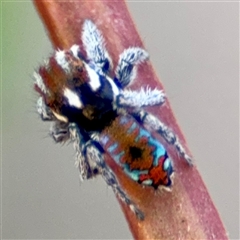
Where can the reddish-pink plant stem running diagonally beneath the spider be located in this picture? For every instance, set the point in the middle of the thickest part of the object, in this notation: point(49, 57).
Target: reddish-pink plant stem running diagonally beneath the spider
point(188, 211)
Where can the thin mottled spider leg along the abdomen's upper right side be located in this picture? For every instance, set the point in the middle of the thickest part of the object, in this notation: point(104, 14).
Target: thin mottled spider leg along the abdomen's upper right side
point(154, 124)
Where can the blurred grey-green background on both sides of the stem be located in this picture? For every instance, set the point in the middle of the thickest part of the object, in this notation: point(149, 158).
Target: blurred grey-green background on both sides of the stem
point(194, 47)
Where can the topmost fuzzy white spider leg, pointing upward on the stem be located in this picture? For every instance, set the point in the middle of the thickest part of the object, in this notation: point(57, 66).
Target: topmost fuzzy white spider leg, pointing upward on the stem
point(95, 47)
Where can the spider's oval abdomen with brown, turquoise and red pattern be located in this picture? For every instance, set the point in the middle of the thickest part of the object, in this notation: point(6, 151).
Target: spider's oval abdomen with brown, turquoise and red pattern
point(142, 157)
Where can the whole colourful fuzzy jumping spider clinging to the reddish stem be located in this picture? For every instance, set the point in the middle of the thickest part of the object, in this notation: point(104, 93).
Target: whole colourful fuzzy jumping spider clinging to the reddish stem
point(94, 110)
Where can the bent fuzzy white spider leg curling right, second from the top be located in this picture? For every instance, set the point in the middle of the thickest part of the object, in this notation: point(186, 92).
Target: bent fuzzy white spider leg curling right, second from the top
point(126, 68)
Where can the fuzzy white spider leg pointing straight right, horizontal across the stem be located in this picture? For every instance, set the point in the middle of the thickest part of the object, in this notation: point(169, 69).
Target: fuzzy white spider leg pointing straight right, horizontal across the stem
point(137, 99)
